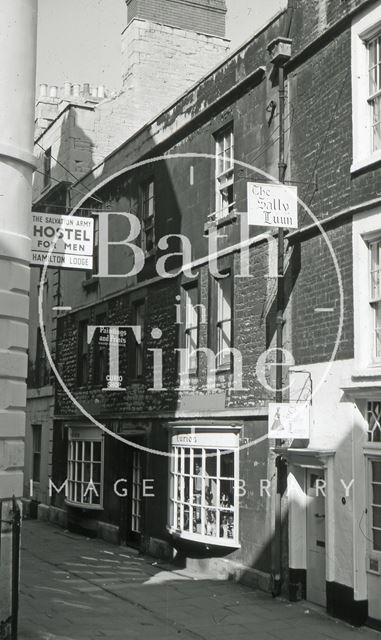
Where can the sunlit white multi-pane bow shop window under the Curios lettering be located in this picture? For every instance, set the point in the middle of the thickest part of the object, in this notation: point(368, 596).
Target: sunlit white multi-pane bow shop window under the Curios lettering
point(201, 512)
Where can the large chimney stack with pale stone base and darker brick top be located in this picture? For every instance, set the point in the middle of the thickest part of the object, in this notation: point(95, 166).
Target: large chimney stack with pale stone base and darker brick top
point(167, 46)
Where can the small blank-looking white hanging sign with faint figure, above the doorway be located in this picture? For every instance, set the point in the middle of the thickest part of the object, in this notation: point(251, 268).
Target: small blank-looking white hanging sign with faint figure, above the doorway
point(289, 420)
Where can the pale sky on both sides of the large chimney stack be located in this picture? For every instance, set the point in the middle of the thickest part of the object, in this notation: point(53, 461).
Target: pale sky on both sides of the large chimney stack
point(79, 40)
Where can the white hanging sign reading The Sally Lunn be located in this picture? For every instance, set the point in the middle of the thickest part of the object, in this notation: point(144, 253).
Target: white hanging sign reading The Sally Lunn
point(272, 205)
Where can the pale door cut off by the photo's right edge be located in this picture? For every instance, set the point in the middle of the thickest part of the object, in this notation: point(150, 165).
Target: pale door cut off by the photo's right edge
point(374, 540)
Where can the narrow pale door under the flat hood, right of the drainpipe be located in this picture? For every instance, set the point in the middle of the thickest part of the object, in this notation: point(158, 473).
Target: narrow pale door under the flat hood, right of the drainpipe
point(316, 576)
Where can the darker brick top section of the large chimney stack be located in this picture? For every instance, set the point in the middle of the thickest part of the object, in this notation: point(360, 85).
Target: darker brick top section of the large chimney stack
point(204, 16)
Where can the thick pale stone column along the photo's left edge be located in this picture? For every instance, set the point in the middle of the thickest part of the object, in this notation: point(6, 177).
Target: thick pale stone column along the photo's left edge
point(18, 35)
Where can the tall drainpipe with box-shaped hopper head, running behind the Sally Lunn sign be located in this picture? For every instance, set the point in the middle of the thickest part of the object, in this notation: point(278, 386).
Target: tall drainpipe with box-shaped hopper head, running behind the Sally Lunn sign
point(280, 52)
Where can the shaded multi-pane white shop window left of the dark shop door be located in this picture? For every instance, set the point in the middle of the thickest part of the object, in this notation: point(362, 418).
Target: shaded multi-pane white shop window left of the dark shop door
point(83, 435)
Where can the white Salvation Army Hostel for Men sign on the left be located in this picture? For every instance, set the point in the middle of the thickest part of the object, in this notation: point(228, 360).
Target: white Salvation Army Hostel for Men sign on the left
point(69, 238)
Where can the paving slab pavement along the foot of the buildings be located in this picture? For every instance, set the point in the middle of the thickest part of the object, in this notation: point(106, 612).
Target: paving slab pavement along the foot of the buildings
point(75, 588)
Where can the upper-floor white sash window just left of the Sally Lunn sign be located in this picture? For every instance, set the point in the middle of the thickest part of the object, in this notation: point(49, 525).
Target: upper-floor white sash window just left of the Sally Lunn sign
point(224, 180)
